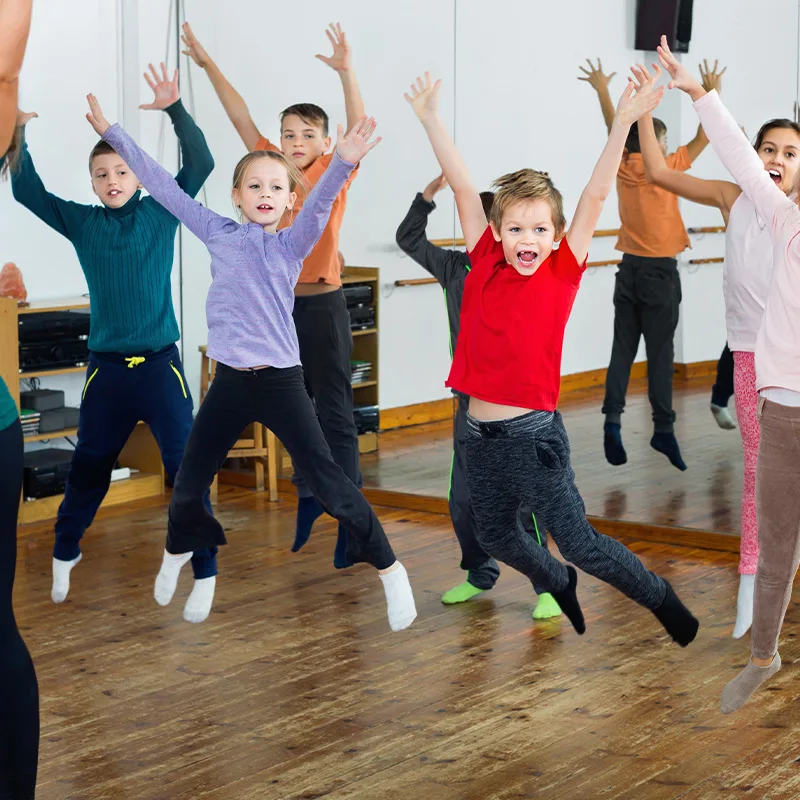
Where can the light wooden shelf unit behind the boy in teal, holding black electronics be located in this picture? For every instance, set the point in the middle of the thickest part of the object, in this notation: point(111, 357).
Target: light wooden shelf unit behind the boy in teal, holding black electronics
point(141, 453)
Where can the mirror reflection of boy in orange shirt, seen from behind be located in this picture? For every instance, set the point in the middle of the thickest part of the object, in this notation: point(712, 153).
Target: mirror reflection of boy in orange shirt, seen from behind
point(647, 290)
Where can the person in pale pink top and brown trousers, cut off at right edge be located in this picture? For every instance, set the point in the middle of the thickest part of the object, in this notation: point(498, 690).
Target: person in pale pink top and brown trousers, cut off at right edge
point(777, 364)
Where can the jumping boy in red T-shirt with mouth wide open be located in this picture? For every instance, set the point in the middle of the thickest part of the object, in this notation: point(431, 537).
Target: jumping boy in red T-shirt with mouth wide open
point(515, 444)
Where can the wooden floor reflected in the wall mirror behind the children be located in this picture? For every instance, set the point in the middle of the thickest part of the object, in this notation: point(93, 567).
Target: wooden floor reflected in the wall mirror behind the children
point(648, 489)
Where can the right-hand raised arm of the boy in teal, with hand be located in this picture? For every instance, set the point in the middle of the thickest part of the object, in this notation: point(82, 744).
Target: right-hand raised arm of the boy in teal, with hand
point(197, 161)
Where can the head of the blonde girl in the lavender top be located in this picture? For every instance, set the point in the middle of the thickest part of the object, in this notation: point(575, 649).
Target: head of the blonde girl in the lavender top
point(264, 193)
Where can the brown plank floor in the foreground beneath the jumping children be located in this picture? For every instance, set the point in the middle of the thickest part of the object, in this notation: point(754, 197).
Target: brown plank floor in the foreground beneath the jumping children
point(296, 688)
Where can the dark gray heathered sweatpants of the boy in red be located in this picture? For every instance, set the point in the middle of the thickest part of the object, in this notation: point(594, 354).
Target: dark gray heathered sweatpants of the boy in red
point(526, 460)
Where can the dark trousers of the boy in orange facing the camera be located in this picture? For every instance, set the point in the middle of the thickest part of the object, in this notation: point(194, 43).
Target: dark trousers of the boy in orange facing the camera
point(326, 345)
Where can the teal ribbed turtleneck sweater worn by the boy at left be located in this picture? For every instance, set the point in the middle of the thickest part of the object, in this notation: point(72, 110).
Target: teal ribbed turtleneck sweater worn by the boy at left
point(126, 253)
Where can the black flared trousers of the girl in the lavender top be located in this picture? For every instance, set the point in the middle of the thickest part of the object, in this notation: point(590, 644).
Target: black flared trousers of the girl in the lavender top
point(277, 398)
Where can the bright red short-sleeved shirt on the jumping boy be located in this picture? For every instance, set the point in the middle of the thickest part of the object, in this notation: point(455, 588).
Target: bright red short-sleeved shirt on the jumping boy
point(512, 327)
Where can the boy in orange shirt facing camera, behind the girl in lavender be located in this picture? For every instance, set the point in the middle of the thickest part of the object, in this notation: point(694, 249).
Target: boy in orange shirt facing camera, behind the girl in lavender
point(320, 311)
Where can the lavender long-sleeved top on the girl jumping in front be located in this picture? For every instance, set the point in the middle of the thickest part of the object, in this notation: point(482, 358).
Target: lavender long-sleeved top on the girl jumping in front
point(250, 302)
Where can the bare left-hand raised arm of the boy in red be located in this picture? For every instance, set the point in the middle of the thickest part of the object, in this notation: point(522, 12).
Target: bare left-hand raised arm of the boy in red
point(424, 99)
